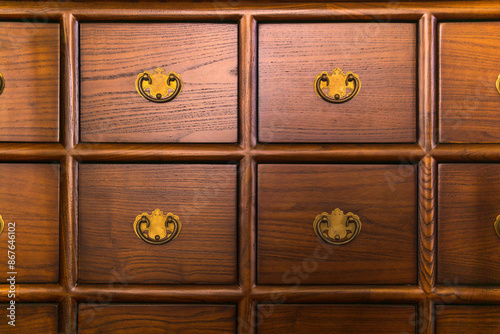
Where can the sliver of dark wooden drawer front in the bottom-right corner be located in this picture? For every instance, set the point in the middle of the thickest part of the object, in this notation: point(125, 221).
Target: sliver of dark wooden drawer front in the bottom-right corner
point(467, 319)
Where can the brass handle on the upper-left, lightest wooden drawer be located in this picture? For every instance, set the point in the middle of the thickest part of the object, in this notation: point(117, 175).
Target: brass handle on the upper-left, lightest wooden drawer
point(162, 87)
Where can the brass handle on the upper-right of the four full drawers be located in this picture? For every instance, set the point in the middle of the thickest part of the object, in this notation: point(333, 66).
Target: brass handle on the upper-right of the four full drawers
point(338, 84)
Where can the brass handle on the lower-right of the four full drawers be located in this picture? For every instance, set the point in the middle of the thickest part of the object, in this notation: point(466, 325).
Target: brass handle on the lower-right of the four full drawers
point(337, 228)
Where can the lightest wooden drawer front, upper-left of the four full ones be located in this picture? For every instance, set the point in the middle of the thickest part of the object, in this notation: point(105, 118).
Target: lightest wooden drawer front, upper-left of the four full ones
point(114, 54)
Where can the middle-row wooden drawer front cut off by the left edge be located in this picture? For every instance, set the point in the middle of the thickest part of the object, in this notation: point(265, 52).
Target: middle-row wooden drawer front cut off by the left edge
point(29, 197)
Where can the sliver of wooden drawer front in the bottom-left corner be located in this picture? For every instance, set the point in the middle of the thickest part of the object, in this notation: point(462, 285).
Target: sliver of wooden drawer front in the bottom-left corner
point(30, 318)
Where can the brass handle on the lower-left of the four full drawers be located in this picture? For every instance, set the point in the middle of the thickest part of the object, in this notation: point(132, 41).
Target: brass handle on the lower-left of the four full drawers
point(157, 228)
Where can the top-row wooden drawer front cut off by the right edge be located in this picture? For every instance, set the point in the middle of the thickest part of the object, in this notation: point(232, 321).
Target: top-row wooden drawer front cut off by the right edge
point(469, 105)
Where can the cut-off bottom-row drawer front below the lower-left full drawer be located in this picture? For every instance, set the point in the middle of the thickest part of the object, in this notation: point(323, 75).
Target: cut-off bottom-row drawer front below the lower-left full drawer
point(152, 319)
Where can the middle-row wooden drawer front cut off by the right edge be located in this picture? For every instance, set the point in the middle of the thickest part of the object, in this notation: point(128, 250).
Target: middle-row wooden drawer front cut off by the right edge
point(469, 203)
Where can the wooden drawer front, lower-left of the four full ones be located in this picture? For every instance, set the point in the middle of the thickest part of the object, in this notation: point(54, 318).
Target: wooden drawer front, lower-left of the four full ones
point(203, 197)
